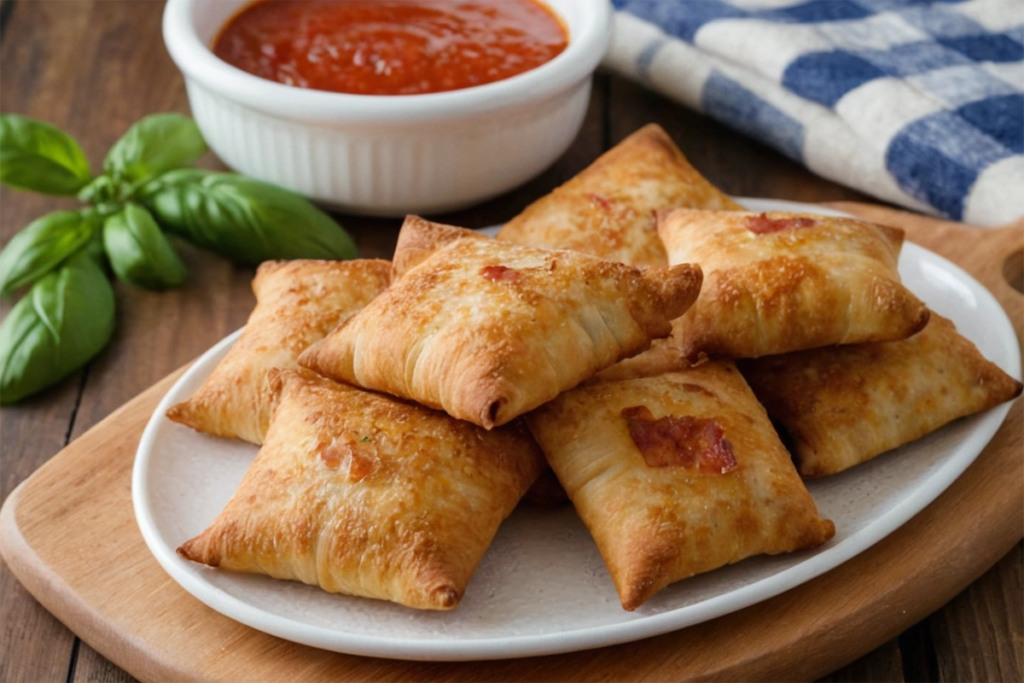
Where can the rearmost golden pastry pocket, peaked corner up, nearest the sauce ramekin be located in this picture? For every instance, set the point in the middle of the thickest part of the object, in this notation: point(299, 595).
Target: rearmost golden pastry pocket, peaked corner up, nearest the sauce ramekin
point(609, 209)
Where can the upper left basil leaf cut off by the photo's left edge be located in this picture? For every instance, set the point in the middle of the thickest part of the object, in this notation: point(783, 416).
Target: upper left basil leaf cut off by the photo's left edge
point(39, 157)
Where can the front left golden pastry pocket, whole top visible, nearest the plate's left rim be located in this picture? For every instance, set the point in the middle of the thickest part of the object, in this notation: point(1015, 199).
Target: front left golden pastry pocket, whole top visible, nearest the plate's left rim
point(365, 495)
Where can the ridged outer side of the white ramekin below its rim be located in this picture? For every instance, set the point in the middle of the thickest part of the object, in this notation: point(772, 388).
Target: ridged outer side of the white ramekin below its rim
point(393, 168)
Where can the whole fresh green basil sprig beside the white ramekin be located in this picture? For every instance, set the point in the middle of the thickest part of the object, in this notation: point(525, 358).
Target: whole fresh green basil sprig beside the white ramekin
point(145, 193)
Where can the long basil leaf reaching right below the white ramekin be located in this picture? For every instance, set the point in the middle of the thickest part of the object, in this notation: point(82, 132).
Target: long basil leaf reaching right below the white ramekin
point(246, 221)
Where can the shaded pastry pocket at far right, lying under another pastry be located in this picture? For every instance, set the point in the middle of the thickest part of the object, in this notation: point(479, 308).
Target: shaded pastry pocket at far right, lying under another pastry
point(843, 406)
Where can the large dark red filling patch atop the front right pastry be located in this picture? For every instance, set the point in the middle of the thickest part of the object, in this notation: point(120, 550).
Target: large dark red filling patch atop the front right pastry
point(697, 444)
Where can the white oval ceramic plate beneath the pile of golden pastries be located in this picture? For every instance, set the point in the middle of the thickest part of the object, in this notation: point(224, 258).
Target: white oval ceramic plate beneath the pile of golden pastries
point(542, 587)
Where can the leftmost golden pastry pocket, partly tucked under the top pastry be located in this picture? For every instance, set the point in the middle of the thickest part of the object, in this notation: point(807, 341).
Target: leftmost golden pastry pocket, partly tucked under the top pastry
point(297, 304)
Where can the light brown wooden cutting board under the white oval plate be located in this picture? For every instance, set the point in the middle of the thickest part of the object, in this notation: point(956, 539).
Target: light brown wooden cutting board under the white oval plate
point(69, 534)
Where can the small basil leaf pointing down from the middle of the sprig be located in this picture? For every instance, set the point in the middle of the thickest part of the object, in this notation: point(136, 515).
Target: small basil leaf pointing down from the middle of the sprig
point(140, 253)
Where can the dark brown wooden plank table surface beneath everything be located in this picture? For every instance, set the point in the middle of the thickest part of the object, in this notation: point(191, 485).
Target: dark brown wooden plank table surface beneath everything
point(94, 67)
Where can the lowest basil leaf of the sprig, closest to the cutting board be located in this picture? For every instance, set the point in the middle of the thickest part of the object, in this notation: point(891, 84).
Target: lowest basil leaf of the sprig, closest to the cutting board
point(65, 320)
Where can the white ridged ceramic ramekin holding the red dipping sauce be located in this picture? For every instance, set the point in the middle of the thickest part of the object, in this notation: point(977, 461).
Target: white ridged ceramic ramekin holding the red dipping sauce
point(389, 155)
